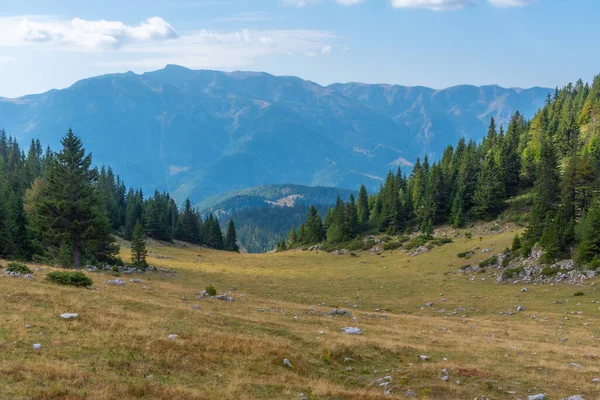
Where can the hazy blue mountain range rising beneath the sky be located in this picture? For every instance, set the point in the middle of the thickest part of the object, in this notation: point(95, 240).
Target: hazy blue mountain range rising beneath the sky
point(200, 133)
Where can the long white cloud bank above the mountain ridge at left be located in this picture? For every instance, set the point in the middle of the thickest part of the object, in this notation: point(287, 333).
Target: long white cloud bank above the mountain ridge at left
point(154, 42)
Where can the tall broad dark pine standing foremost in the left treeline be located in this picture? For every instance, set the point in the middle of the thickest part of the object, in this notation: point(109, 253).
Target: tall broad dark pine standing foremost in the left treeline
point(69, 203)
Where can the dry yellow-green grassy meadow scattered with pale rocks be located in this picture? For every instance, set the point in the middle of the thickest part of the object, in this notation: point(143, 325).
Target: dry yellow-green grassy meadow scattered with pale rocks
point(119, 346)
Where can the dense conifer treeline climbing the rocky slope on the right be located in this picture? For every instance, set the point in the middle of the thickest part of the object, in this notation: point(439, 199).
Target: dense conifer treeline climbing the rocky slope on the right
point(555, 157)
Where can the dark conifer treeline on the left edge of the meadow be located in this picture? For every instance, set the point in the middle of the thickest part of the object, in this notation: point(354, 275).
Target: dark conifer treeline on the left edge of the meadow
point(54, 207)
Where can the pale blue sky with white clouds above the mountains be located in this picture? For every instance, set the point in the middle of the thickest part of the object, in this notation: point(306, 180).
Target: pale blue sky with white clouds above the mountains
point(436, 43)
